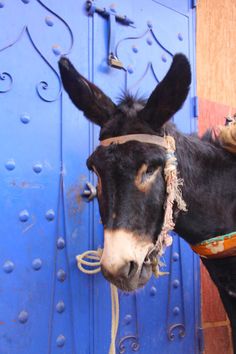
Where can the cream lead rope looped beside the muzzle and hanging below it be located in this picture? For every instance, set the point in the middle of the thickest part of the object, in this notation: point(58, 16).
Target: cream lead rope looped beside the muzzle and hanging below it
point(92, 259)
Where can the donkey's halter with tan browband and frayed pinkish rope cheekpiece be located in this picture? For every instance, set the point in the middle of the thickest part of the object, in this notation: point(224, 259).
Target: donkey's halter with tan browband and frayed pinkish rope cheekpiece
point(173, 188)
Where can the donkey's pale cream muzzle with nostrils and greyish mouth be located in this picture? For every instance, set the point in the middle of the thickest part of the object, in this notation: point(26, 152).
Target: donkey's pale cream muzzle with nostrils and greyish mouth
point(124, 259)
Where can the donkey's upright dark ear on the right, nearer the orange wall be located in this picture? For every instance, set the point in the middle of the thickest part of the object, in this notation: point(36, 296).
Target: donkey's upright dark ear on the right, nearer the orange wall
point(169, 95)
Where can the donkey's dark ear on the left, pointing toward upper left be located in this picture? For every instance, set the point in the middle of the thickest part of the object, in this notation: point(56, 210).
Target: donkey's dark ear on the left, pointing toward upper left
point(96, 106)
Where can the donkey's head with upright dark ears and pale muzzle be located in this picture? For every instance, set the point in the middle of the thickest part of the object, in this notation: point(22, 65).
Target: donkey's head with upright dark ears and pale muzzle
point(131, 187)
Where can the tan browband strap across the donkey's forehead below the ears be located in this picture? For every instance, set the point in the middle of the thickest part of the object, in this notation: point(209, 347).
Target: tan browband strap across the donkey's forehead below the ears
point(142, 138)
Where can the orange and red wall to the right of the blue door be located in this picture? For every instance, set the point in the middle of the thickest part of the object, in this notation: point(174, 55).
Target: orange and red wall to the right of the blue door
point(216, 48)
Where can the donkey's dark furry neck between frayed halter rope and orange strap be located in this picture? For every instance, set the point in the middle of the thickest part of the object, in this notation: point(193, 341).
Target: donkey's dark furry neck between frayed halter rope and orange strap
point(209, 175)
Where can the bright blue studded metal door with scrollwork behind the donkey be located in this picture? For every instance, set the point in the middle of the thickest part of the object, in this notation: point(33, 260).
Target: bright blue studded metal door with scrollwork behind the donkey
point(46, 305)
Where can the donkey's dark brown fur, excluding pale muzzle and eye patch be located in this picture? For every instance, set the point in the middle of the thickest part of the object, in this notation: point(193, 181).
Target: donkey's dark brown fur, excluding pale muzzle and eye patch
point(208, 171)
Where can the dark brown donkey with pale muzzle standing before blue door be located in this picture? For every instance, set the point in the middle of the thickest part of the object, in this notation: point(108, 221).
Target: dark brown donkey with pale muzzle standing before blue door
point(131, 185)
